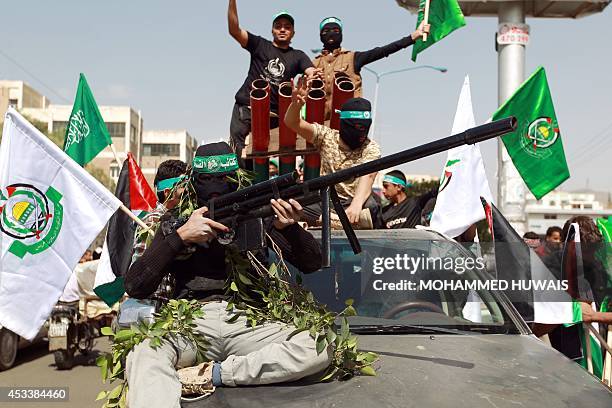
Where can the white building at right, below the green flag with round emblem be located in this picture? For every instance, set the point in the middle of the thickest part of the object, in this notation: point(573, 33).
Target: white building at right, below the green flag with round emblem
point(557, 207)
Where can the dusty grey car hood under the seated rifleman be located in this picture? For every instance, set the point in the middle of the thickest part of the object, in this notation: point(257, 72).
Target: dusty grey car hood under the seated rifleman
point(440, 371)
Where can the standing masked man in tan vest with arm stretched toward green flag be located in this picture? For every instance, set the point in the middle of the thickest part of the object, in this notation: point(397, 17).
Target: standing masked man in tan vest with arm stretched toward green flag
point(335, 59)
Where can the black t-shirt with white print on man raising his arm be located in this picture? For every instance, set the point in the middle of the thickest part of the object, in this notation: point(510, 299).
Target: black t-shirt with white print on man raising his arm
point(273, 64)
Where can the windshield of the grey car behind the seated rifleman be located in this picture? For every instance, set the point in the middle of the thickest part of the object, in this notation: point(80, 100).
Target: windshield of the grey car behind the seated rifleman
point(401, 282)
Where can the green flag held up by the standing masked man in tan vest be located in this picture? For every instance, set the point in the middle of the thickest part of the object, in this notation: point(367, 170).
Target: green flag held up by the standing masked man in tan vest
point(445, 16)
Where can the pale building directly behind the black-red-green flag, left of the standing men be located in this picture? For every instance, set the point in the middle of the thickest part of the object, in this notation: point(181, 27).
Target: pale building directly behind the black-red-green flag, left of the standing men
point(161, 145)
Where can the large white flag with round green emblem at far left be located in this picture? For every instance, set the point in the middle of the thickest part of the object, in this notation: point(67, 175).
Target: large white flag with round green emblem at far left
point(51, 210)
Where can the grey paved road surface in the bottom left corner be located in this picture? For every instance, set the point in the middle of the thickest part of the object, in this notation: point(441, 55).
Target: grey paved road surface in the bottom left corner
point(35, 367)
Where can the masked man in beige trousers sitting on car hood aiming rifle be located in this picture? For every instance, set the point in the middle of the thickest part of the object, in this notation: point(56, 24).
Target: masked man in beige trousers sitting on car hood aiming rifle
point(242, 355)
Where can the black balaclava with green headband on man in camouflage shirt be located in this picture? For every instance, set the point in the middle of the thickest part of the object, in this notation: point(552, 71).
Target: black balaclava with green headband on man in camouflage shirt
point(355, 122)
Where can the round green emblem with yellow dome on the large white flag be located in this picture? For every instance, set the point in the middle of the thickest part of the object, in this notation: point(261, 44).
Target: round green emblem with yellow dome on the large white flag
point(31, 218)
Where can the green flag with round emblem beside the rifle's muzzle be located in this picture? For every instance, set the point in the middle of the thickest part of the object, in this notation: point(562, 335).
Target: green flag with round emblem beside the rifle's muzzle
point(535, 147)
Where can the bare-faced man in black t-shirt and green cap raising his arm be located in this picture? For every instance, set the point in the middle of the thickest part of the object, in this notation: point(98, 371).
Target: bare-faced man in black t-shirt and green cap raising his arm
point(274, 61)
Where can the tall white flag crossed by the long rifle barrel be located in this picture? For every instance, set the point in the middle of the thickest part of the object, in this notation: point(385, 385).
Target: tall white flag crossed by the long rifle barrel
point(463, 181)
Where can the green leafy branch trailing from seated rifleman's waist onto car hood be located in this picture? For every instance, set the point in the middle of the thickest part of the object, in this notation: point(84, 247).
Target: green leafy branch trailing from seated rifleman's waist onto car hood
point(270, 296)
